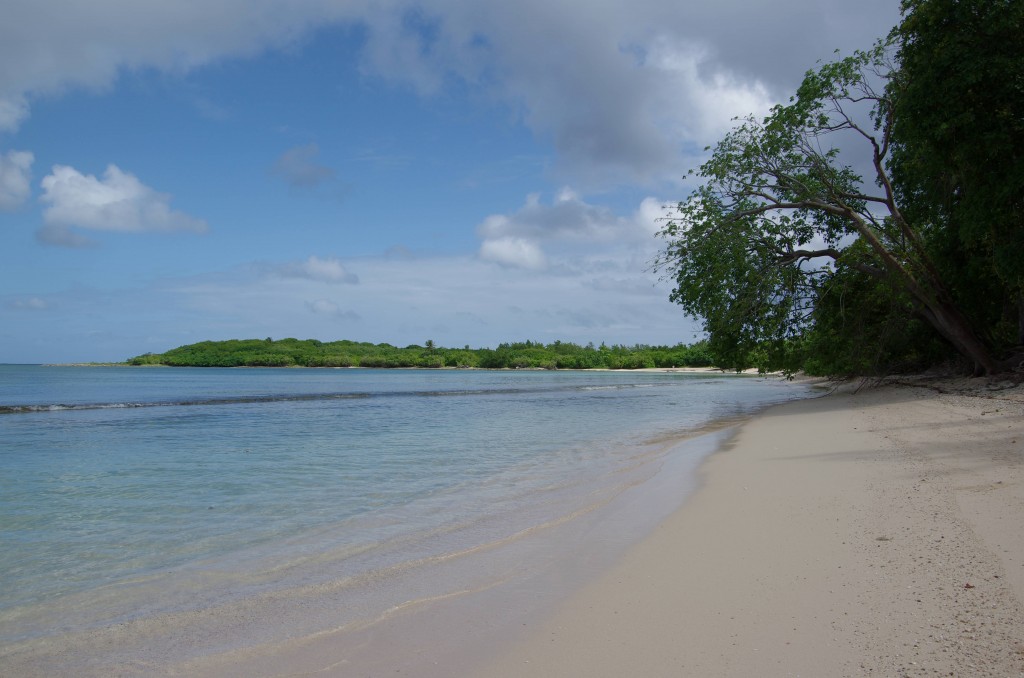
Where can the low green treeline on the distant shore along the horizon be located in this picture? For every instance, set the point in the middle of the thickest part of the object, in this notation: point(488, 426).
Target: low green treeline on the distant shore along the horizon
point(314, 354)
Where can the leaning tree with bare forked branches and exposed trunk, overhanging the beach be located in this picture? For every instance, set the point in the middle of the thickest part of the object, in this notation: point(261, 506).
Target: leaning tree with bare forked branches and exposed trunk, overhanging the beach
point(782, 213)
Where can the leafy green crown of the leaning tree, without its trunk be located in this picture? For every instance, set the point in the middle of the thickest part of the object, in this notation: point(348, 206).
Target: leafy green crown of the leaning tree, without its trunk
point(746, 250)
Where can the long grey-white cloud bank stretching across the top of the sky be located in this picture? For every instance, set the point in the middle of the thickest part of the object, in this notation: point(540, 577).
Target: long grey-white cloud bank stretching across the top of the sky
point(621, 90)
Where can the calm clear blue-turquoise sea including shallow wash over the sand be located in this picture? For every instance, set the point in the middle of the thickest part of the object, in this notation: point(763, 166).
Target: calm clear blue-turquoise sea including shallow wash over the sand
point(308, 499)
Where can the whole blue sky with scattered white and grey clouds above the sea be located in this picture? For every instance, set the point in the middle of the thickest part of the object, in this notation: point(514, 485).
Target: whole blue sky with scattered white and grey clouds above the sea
point(462, 172)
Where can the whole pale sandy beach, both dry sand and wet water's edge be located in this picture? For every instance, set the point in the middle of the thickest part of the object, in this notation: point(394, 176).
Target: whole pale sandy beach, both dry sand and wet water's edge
point(871, 532)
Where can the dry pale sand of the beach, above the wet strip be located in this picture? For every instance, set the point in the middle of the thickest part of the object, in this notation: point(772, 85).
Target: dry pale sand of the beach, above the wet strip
point(869, 534)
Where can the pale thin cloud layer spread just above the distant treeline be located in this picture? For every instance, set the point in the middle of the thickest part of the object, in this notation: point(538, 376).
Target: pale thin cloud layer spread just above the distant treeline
point(454, 301)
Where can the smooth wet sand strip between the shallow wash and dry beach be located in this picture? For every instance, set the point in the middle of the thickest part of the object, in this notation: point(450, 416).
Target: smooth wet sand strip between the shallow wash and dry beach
point(454, 633)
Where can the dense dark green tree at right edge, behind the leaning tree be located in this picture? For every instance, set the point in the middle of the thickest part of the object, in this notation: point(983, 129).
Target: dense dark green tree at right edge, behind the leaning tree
point(959, 149)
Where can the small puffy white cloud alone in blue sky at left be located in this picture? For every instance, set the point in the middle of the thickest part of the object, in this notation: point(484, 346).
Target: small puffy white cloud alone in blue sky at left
point(119, 202)
